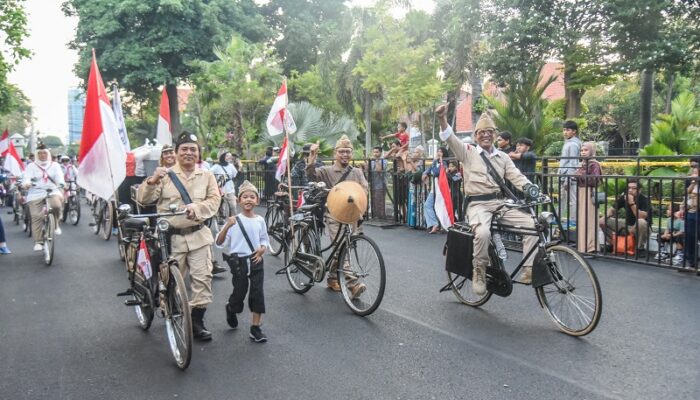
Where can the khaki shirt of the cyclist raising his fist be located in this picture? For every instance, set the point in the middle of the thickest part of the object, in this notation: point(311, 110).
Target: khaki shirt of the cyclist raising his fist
point(477, 180)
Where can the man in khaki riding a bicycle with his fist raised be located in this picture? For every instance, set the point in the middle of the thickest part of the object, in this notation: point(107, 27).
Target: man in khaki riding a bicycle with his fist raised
point(483, 194)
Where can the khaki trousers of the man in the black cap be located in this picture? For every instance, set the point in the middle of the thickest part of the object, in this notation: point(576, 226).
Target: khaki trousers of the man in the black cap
point(198, 264)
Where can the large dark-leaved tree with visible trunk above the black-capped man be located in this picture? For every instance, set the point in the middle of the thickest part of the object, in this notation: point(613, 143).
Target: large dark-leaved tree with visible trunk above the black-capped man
point(144, 44)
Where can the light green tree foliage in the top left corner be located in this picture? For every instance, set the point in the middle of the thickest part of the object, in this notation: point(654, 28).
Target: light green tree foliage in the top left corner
point(13, 31)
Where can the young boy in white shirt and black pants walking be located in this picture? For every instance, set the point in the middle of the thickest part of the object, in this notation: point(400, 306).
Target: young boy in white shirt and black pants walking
point(246, 238)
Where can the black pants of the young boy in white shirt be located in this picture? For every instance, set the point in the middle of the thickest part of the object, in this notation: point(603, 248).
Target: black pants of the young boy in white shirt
point(241, 284)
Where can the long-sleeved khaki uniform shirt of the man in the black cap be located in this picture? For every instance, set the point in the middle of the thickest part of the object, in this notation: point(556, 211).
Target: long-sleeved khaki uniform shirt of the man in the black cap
point(204, 192)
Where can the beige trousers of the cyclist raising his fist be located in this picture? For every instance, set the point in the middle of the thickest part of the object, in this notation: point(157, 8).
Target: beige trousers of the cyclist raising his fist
point(480, 215)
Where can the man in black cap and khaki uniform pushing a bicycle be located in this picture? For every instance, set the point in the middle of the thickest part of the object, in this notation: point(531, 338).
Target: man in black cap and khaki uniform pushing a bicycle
point(190, 238)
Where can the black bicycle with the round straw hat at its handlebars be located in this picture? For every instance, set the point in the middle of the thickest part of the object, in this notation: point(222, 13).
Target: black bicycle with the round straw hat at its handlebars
point(359, 259)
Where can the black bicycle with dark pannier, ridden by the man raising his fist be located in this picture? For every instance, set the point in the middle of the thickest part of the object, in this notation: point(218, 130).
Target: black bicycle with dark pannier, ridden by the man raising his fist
point(573, 304)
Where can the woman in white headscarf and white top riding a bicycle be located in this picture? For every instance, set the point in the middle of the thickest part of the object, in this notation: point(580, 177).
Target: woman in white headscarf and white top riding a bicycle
point(38, 177)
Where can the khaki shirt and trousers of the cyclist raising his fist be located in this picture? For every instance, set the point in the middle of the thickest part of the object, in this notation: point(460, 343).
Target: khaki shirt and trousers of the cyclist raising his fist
point(477, 182)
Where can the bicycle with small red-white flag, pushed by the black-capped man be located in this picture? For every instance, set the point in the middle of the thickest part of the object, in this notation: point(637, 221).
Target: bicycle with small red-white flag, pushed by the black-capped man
point(163, 288)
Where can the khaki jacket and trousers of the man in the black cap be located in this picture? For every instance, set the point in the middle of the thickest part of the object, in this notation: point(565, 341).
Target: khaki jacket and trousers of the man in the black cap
point(191, 250)
